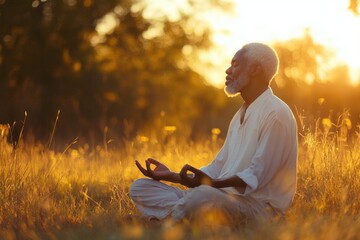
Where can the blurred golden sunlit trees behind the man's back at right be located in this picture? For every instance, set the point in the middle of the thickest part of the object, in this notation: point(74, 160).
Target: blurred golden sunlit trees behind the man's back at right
point(313, 86)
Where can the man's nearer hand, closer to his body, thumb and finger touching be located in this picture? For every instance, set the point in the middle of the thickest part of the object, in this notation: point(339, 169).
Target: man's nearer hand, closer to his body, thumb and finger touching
point(196, 179)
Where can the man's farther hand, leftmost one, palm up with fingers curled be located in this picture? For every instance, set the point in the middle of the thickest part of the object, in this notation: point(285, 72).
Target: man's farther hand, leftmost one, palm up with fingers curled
point(160, 172)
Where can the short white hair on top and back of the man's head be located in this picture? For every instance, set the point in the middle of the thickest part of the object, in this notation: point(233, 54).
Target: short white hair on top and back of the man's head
point(265, 56)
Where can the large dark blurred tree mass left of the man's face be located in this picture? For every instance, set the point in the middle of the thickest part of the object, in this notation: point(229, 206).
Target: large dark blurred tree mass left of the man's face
point(53, 57)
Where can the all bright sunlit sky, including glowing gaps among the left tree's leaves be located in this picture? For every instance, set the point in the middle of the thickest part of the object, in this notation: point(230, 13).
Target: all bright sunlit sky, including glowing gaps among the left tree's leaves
point(330, 23)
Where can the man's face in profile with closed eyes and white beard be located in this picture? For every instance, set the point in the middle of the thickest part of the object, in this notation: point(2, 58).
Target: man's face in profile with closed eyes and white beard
point(236, 75)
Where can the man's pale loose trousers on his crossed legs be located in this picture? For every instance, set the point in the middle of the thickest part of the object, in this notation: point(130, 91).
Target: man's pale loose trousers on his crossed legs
point(159, 200)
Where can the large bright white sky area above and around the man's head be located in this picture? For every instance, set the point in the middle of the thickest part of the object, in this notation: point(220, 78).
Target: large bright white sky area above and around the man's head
point(330, 23)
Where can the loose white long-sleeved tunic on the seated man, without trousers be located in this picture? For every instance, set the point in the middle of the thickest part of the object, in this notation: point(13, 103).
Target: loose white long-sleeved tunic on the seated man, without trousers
point(262, 151)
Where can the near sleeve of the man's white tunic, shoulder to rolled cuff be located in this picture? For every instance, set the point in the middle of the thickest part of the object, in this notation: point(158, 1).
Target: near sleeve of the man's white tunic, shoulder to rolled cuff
point(273, 170)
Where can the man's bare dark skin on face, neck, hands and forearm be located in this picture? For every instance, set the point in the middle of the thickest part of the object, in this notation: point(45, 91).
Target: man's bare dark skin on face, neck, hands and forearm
point(190, 176)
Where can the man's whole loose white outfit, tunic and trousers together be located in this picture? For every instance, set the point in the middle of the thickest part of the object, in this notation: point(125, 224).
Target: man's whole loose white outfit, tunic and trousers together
point(262, 151)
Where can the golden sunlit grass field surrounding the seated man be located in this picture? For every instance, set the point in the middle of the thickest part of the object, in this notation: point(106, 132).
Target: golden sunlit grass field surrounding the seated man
point(82, 192)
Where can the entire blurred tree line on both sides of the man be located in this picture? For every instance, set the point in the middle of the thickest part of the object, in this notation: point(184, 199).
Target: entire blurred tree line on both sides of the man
point(106, 64)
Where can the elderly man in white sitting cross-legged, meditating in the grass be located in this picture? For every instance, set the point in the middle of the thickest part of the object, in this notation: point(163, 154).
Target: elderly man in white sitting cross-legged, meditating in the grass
point(254, 174)
